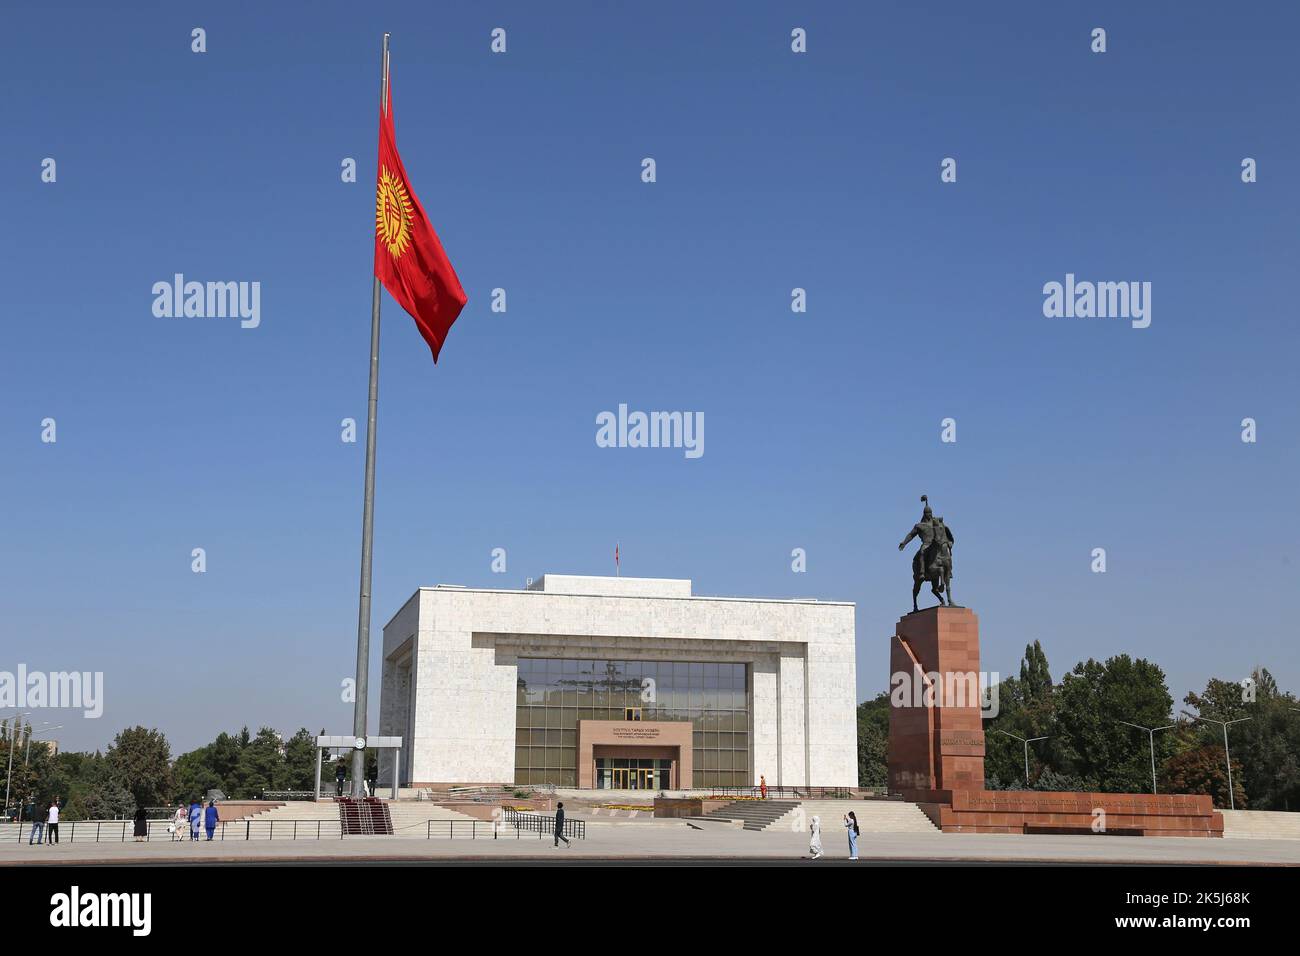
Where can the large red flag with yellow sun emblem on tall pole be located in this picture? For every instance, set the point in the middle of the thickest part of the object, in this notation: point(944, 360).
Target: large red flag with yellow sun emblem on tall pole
point(409, 259)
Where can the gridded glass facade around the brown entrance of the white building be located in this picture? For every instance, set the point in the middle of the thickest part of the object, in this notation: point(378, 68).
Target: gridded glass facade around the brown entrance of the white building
point(556, 694)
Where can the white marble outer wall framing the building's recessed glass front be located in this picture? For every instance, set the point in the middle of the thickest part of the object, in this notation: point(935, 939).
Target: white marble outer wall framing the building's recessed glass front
point(467, 642)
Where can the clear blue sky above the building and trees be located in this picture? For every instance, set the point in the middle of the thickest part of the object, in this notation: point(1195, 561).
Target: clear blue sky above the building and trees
point(775, 171)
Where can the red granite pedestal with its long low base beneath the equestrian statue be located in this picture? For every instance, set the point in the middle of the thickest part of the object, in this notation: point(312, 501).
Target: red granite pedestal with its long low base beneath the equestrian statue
point(937, 750)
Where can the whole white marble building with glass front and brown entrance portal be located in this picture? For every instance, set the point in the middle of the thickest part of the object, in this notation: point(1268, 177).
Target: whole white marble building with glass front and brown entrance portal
point(452, 686)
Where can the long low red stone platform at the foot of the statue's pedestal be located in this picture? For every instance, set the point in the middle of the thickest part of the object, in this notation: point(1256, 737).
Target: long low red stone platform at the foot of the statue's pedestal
point(1043, 812)
